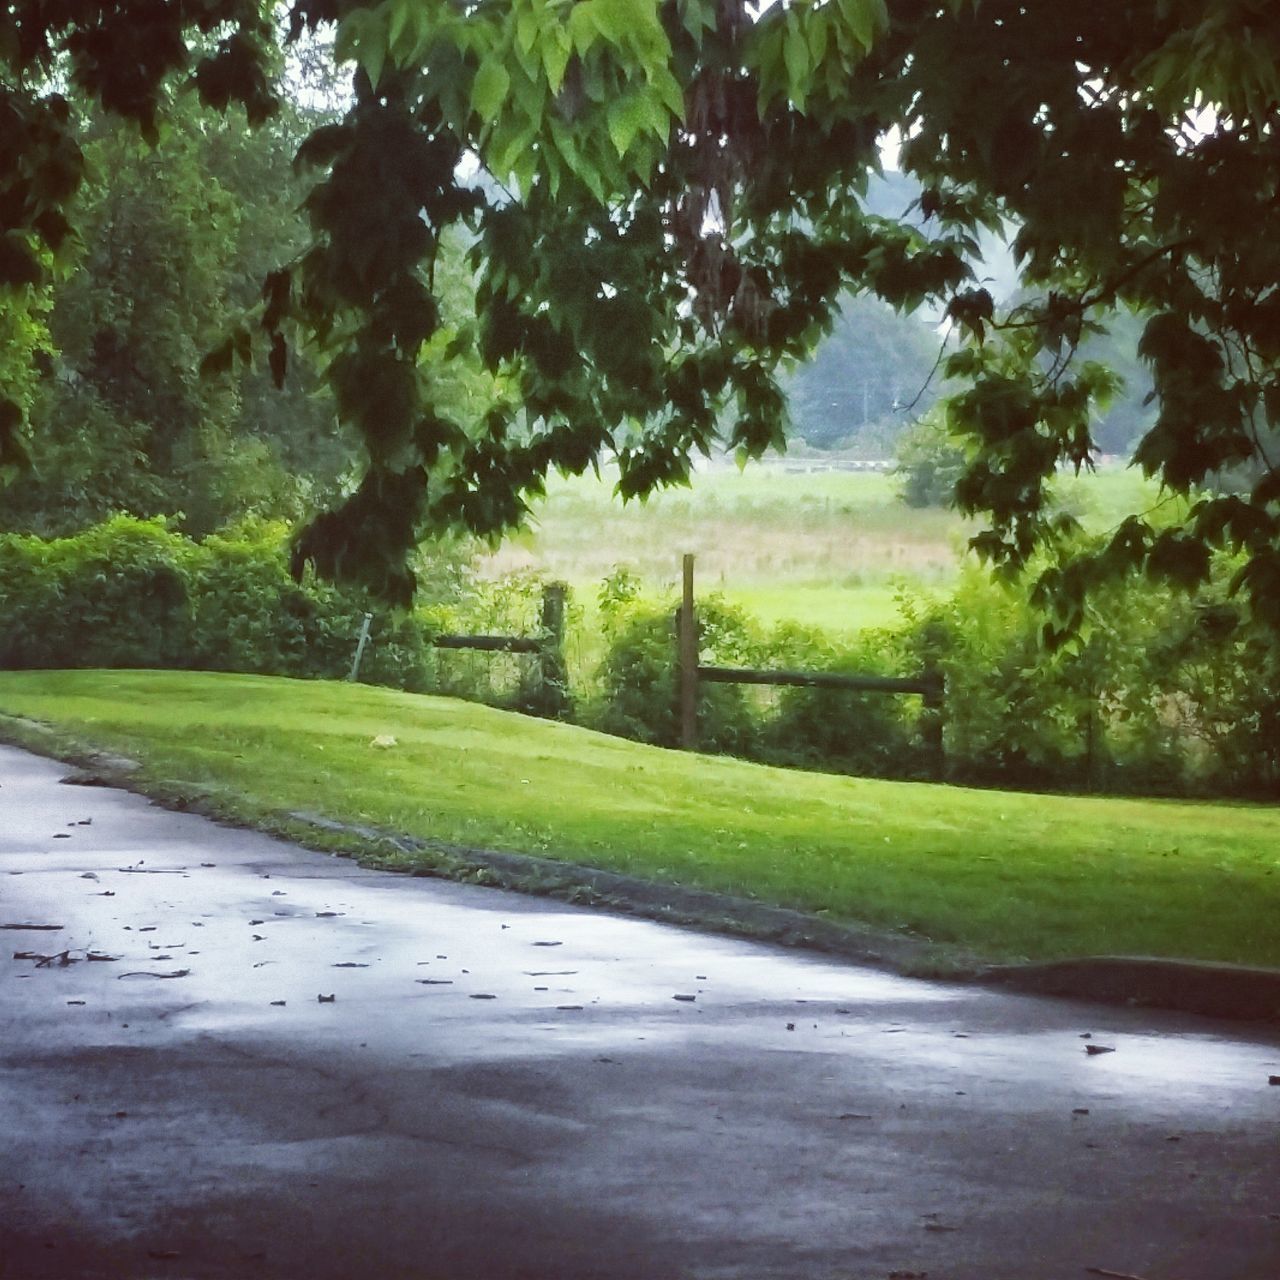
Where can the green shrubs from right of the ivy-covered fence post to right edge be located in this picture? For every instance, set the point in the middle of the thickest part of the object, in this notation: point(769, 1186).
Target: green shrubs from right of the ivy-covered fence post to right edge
point(1163, 693)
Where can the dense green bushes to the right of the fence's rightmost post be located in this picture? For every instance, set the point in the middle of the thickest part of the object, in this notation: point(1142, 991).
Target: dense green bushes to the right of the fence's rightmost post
point(1163, 693)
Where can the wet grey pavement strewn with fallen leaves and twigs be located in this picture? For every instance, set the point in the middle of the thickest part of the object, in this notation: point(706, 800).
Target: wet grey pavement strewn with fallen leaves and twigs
point(235, 1058)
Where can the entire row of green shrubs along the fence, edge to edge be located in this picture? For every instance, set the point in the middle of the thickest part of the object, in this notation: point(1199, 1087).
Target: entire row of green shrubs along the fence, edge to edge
point(1163, 693)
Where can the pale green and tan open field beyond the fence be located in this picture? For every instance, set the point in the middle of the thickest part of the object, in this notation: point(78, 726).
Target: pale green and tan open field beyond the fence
point(785, 540)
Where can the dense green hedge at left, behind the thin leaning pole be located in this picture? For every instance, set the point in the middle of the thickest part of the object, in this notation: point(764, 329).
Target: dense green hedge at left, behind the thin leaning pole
point(132, 593)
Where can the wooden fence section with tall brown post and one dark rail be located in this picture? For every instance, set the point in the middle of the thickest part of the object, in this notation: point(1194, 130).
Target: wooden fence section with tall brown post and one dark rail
point(929, 685)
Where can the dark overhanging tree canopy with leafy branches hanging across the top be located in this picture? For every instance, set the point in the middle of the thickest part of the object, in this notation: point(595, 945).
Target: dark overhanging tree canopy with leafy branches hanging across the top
point(665, 207)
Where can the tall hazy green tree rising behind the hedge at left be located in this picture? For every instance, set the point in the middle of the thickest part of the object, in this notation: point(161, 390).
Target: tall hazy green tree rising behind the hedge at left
point(173, 244)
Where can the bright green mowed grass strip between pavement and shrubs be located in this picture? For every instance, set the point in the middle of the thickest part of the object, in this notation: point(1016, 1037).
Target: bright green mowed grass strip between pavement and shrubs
point(1005, 876)
